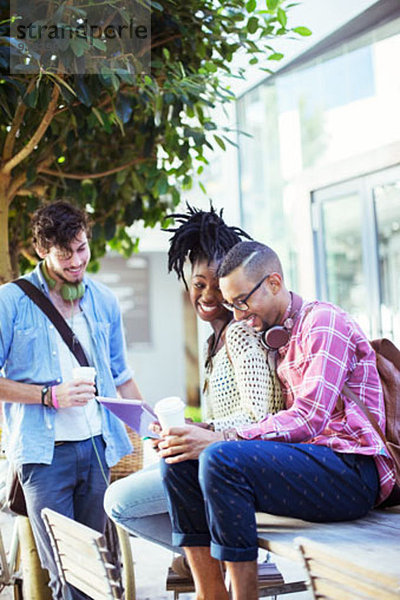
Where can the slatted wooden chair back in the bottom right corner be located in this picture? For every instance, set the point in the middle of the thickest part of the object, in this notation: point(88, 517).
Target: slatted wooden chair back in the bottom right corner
point(333, 575)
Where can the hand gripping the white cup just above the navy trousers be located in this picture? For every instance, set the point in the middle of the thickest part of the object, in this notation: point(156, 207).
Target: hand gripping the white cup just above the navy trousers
point(186, 443)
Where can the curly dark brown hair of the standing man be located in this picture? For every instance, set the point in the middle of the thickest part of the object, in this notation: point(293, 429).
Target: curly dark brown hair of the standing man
point(58, 224)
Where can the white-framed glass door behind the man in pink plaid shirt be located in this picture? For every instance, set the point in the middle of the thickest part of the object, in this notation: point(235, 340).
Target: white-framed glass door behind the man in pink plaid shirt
point(356, 227)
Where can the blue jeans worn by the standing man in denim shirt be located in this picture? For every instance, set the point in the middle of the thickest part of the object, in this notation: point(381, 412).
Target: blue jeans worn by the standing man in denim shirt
point(72, 485)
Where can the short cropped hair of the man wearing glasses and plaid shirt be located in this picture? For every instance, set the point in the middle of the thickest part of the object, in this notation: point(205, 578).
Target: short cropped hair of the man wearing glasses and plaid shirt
point(255, 258)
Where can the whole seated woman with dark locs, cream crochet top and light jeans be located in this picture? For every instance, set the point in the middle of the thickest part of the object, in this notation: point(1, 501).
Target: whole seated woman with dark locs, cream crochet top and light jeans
point(239, 387)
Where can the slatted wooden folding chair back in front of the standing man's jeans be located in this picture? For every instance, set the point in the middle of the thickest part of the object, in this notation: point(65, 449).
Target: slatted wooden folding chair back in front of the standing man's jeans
point(82, 557)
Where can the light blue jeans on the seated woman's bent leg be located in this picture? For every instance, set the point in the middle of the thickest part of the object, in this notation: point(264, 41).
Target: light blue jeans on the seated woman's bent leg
point(139, 505)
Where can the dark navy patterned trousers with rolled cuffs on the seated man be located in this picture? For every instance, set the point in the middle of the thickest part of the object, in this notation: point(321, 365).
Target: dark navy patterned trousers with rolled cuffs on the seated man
point(213, 501)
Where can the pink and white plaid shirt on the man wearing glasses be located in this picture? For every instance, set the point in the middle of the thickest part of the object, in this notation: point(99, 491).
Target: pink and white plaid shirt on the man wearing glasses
point(327, 349)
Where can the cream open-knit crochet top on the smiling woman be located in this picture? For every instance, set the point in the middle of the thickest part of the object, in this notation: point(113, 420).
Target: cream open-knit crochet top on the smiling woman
point(241, 388)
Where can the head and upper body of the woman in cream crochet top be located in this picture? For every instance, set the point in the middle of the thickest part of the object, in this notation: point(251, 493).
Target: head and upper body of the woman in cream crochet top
point(238, 387)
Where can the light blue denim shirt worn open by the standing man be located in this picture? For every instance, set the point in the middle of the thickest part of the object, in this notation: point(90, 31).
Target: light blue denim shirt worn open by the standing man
point(29, 354)
